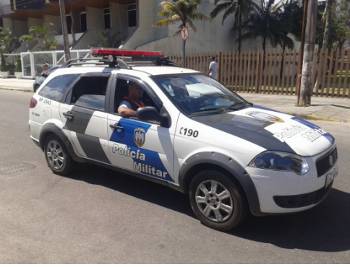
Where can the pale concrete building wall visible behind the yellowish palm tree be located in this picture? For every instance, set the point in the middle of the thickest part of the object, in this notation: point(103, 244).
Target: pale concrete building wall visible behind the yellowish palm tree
point(211, 35)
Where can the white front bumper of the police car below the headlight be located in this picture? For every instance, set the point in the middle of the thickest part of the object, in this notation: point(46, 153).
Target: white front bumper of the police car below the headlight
point(286, 192)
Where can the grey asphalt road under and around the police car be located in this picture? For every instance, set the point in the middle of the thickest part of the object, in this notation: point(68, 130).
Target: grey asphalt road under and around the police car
point(98, 216)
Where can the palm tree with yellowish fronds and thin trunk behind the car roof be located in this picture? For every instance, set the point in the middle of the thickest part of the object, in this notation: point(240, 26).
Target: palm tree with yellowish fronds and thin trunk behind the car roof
point(184, 12)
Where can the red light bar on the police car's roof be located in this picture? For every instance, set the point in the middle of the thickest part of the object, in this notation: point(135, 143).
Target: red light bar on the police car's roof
point(125, 53)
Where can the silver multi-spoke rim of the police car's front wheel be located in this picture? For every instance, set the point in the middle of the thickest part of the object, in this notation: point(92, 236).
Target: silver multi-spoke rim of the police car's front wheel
point(214, 201)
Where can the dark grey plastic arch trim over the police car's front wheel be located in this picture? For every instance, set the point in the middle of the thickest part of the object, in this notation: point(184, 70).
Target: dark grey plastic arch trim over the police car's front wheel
point(225, 164)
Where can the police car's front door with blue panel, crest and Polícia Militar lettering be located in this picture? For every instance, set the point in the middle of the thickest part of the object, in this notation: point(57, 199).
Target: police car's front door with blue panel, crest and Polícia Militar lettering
point(140, 146)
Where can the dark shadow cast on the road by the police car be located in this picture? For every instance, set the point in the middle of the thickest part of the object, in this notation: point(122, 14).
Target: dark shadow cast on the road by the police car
point(324, 228)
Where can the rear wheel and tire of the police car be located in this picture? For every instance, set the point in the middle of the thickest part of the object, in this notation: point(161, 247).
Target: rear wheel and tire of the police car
point(57, 156)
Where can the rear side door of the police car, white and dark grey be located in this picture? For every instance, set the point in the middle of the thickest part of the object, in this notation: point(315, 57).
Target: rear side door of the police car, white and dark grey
point(85, 116)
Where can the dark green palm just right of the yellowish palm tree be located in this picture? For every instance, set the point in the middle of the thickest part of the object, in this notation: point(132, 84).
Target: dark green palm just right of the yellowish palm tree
point(240, 9)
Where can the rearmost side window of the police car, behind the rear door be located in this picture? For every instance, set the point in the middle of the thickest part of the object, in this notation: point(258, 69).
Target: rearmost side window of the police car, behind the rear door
point(57, 87)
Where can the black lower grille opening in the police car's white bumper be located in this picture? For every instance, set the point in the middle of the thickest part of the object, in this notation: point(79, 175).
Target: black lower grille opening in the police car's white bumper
point(299, 201)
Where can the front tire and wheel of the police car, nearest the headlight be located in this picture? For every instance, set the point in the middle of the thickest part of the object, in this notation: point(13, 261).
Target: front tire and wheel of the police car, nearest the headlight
point(217, 201)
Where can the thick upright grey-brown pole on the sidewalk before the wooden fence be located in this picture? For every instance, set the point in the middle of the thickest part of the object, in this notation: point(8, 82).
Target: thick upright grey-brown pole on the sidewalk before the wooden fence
point(310, 37)
